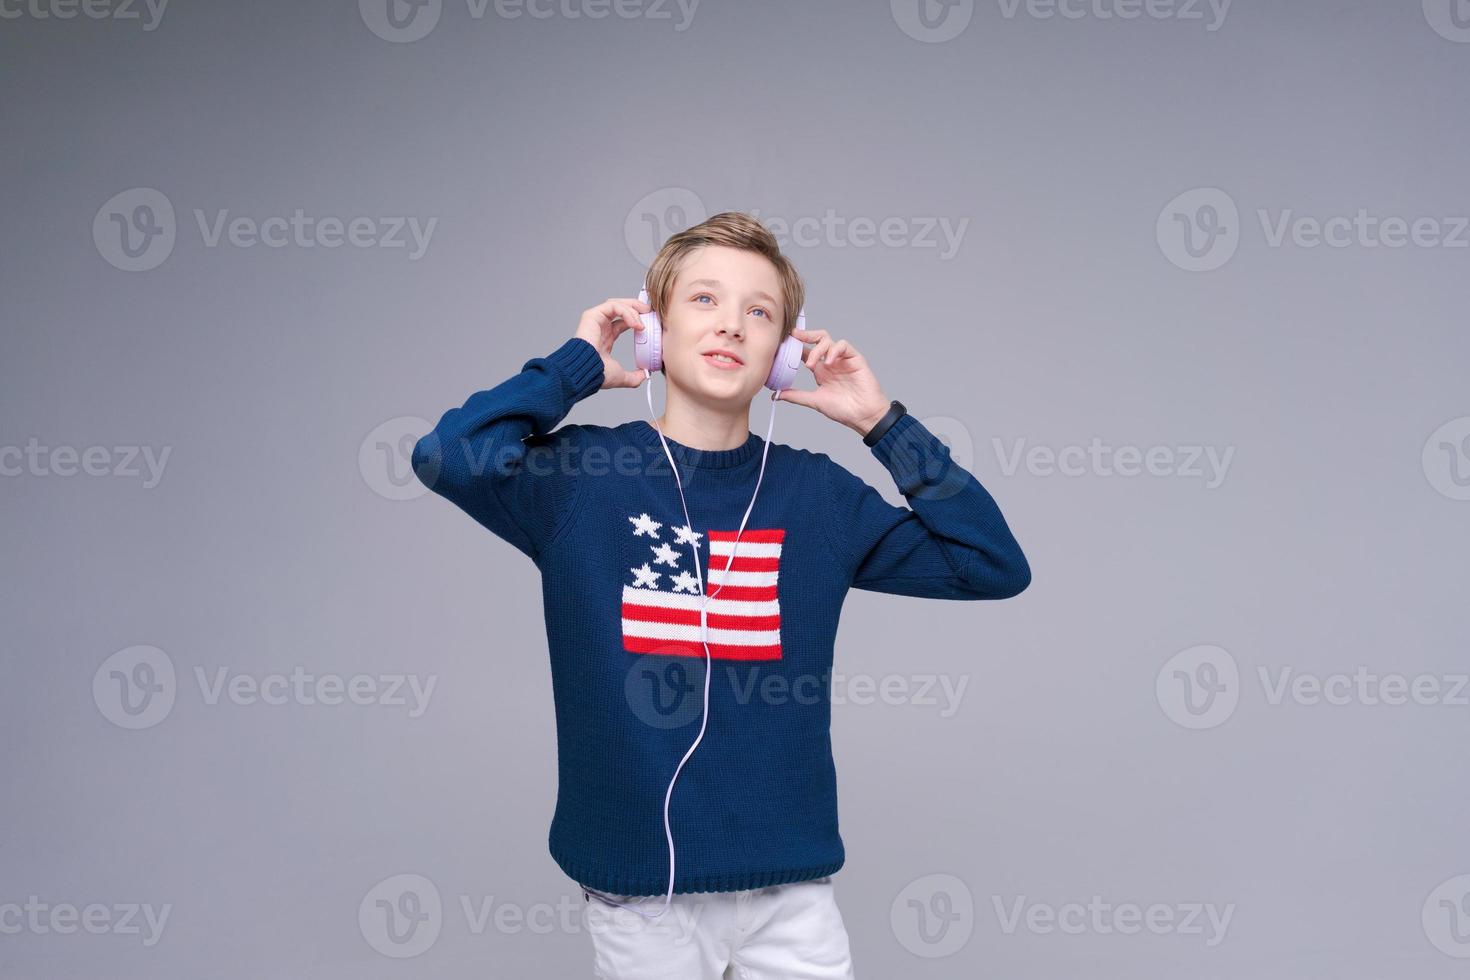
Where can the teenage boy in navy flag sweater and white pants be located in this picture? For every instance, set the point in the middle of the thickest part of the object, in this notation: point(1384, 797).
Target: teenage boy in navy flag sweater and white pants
point(752, 816)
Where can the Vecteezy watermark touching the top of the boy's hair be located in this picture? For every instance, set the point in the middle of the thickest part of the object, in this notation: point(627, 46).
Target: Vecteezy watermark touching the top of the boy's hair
point(673, 209)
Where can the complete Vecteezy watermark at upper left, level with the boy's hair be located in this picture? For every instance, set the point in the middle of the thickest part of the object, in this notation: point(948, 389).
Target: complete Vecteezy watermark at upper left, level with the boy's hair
point(136, 231)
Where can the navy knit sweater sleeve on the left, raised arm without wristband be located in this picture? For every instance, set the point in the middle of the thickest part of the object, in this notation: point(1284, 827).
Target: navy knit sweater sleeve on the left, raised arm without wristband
point(496, 456)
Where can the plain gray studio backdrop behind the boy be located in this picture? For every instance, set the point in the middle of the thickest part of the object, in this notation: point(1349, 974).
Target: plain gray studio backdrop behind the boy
point(555, 154)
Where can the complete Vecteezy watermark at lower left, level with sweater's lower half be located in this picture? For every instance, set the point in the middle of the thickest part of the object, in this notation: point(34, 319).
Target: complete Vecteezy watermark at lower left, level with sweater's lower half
point(136, 688)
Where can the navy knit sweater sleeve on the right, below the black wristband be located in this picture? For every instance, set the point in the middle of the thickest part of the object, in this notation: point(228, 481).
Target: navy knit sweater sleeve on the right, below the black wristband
point(950, 544)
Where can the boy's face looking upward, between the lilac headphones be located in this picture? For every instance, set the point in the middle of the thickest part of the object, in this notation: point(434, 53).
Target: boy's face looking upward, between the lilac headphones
point(724, 299)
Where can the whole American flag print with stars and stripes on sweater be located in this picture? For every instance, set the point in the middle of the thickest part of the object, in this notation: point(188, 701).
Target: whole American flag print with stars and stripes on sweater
point(662, 596)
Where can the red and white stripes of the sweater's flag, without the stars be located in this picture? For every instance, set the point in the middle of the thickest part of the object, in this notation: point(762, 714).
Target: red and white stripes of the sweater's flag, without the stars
point(745, 613)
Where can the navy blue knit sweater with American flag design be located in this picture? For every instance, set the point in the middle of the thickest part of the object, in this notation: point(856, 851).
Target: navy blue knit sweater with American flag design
point(598, 511)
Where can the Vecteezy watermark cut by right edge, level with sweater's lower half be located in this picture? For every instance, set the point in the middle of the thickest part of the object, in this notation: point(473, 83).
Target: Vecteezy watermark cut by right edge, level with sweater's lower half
point(1202, 687)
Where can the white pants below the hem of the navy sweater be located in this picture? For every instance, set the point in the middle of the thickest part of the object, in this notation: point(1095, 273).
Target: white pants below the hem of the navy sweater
point(784, 932)
